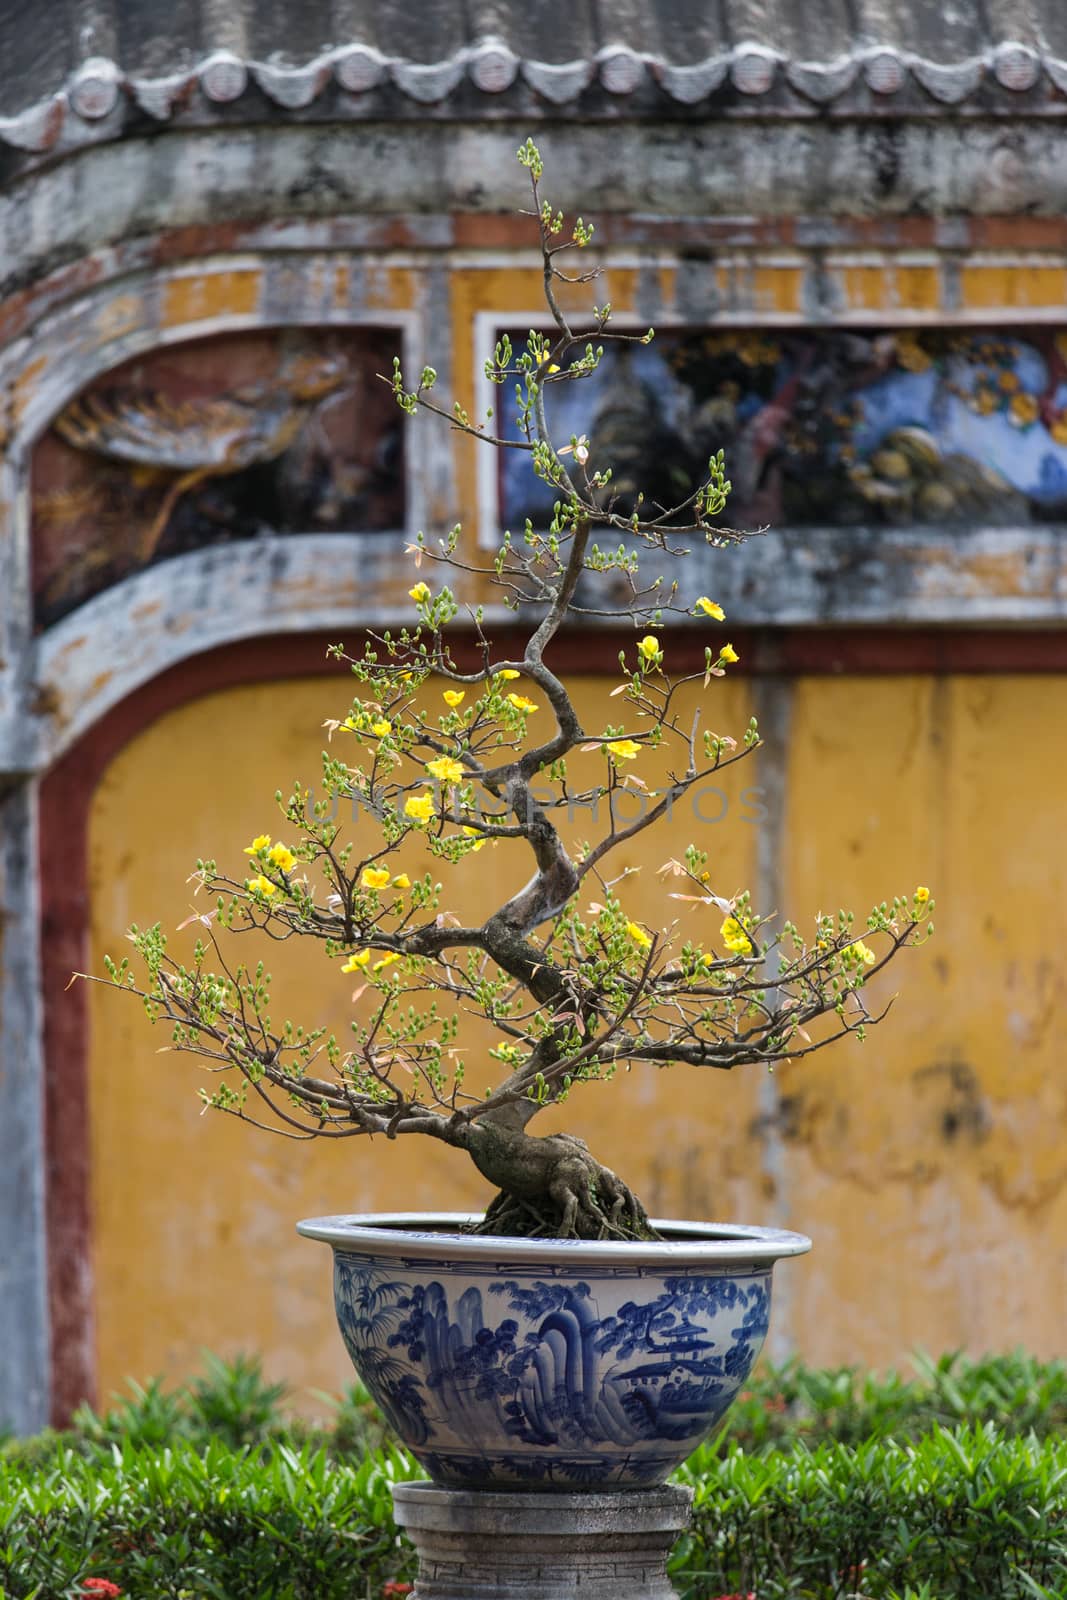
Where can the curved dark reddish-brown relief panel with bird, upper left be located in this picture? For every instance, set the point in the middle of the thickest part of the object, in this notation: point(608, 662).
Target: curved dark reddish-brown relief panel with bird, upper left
point(268, 433)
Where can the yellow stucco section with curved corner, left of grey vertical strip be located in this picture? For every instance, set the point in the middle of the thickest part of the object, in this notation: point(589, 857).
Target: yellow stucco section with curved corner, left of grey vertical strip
point(193, 1215)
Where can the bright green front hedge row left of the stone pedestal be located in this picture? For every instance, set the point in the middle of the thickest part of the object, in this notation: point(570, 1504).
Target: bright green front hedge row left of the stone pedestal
point(201, 1522)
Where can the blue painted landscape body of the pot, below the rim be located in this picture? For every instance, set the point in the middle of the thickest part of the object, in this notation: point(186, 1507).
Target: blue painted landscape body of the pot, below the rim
point(540, 1378)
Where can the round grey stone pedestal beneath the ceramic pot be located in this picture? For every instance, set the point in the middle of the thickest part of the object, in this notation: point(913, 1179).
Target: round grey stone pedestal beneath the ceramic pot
point(516, 1546)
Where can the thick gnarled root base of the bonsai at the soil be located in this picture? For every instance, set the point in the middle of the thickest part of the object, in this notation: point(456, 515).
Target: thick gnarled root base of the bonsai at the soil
point(553, 1188)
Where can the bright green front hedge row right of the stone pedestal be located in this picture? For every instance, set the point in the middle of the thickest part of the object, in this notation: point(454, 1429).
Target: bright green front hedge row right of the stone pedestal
point(967, 1513)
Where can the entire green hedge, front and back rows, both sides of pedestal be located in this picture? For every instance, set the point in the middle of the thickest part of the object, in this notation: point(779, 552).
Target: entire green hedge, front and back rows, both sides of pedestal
point(826, 1486)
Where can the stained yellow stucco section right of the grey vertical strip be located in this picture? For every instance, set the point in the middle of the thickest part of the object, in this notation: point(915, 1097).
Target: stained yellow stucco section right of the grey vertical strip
point(933, 1172)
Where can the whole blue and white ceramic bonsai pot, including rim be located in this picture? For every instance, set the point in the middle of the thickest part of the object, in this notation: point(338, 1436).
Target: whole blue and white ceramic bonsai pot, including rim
point(551, 1364)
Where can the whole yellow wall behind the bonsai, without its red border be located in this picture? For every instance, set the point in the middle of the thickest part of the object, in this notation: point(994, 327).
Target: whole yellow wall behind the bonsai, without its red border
point(929, 1164)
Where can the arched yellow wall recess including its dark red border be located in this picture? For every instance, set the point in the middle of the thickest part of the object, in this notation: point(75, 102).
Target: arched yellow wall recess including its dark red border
point(949, 1113)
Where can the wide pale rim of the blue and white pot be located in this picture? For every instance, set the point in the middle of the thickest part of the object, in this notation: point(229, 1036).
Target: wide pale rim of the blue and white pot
point(434, 1234)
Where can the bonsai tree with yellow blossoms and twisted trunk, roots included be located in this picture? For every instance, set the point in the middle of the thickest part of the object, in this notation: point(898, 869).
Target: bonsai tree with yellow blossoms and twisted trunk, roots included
point(474, 753)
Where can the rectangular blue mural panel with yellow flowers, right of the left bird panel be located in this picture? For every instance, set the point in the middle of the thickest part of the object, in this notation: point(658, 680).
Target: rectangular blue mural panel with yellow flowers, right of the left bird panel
point(823, 426)
